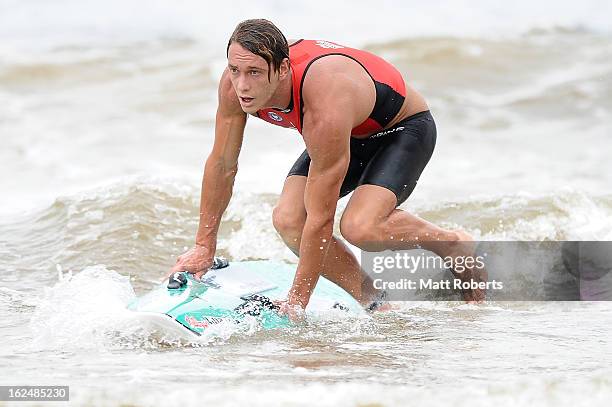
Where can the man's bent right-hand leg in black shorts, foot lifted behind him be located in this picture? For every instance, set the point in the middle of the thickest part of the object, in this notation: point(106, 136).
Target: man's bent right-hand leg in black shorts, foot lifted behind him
point(371, 220)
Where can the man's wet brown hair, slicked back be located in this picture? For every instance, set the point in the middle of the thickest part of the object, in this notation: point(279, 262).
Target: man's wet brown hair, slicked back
point(263, 38)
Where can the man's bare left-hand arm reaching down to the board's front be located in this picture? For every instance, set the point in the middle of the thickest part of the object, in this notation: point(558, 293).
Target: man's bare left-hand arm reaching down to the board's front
point(218, 180)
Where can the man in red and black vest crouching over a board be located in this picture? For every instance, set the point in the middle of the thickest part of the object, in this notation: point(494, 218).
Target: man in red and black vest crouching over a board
point(365, 131)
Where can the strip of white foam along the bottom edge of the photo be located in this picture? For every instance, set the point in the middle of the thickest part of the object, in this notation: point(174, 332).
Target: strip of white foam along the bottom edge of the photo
point(469, 389)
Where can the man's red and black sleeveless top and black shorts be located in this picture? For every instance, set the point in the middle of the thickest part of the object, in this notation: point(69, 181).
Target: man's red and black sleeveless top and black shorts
point(392, 158)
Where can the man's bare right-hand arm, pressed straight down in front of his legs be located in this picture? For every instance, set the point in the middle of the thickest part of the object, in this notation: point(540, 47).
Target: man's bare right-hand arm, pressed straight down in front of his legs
point(326, 131)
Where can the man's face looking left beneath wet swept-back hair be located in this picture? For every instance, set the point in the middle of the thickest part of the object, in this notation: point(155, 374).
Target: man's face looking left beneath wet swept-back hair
point(249, 76)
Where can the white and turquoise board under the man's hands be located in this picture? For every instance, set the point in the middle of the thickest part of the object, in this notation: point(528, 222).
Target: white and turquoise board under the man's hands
point(229, 293)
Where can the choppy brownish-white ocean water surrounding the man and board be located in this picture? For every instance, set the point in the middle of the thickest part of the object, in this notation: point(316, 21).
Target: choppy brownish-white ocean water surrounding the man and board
point(106, 119)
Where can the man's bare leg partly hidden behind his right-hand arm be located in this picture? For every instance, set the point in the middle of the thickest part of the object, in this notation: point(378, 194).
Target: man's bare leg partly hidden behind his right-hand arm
point(340, 265)
